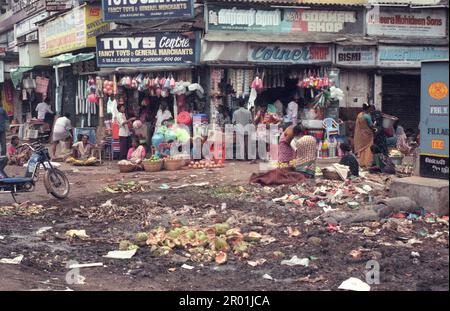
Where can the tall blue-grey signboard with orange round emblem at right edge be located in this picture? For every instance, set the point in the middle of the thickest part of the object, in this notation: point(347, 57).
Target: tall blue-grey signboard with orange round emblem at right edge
point(434, 126)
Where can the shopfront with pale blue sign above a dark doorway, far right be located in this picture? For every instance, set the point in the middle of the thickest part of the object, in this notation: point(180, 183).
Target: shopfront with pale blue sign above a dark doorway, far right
point(400, 73)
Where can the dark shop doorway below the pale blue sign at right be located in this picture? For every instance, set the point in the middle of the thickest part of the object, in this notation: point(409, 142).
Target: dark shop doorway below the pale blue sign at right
point(401, 98)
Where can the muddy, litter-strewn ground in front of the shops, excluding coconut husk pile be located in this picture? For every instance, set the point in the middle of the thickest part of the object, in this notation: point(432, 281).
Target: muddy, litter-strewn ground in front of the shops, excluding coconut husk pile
point(227, 198)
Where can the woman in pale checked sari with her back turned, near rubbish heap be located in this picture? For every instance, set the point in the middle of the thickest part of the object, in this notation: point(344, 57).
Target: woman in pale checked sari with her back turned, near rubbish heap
point(306, 153)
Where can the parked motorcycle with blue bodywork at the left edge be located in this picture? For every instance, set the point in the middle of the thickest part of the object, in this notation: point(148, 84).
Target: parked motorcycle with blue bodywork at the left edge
point(55, 181)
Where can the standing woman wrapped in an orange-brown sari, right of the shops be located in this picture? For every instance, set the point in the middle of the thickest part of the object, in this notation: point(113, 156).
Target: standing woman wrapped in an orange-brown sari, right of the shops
point(364, 137)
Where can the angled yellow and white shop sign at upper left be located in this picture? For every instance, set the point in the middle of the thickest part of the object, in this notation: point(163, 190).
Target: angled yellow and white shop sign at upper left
point(74, 30)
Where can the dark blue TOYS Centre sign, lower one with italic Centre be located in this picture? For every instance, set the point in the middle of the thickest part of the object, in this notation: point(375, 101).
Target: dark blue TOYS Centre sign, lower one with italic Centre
point(146, 49)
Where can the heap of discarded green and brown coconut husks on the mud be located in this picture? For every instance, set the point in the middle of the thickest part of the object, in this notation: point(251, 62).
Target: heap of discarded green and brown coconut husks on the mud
point(201, 244)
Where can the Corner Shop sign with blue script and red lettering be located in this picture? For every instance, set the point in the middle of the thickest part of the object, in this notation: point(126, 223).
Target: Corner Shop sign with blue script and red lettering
point(290, 54)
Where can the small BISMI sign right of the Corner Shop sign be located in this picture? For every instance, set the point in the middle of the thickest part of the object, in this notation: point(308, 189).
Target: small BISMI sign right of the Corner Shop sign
point(356, 55)
